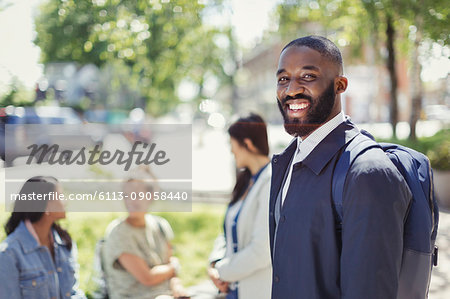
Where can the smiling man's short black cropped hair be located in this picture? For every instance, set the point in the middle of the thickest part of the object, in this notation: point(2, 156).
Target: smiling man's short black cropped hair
point(320, 44)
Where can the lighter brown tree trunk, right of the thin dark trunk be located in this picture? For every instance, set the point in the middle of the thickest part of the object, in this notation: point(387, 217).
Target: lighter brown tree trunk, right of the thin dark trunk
point(417, 90)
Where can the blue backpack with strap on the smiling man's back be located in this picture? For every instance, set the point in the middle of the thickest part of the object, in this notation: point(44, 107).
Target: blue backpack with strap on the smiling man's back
point(420, 230)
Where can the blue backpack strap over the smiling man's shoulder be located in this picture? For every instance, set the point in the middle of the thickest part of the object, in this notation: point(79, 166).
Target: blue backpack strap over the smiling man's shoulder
point(355, 147)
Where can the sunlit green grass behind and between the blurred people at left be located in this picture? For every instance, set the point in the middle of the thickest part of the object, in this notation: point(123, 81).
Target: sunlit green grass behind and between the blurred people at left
point(194, 236)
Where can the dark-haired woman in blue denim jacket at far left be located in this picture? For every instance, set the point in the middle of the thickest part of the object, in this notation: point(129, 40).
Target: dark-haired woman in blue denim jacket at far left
point(37, 259)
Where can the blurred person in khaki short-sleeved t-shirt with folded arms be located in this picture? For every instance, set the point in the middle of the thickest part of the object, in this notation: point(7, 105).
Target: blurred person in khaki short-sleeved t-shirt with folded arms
point(137, 254)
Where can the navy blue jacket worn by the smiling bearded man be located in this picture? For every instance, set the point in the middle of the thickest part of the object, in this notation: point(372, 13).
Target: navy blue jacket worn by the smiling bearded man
point(310, 259)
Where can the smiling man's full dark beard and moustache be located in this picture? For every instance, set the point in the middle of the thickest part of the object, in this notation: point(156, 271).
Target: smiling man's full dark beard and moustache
point(319, 111)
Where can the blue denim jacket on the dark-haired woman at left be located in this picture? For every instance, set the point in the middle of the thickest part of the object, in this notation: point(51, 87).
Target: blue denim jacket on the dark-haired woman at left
point(28, 271)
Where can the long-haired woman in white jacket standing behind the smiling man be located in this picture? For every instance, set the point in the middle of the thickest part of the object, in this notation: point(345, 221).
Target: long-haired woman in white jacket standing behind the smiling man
point(240, 264)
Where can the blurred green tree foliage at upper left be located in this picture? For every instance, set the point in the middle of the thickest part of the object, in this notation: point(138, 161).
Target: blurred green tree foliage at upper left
point(151, 44)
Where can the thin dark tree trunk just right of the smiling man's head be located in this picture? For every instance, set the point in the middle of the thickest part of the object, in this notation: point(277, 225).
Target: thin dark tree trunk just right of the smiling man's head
point(390, 34)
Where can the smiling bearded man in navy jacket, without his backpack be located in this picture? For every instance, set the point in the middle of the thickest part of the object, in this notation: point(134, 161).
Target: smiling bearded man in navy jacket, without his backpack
point(313, 256)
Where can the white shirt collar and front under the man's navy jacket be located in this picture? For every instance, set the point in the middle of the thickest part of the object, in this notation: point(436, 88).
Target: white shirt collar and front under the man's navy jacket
point(305, 147)
